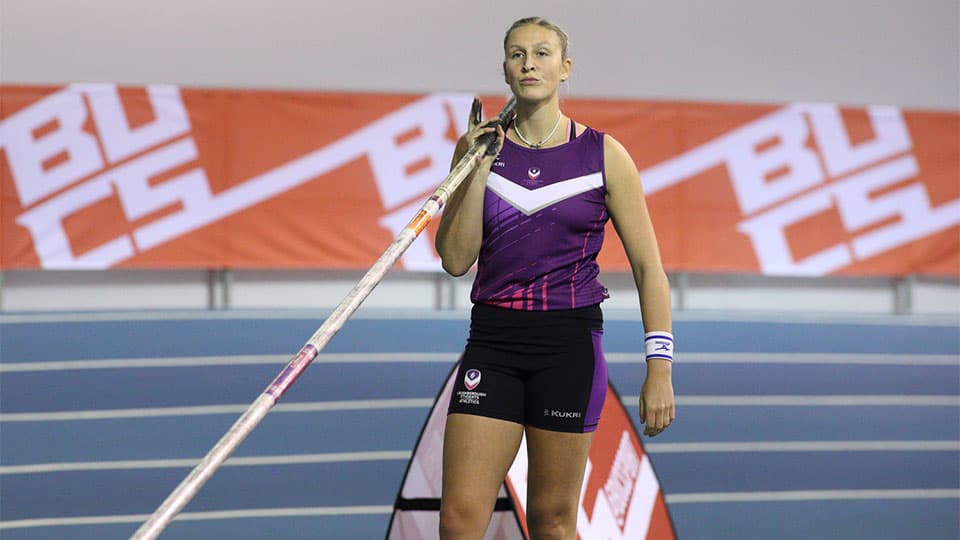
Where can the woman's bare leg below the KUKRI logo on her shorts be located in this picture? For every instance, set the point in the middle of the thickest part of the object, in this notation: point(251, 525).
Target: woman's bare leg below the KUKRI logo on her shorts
point(554, 478)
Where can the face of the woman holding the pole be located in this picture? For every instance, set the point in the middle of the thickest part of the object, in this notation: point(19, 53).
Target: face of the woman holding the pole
point(534, 64)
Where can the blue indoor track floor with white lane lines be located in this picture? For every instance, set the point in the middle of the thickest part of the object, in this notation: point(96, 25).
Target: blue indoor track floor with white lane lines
point(795, 429)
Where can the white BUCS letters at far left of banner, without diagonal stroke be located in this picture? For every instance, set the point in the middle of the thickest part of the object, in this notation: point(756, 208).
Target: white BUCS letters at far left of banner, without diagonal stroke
point(49, 152)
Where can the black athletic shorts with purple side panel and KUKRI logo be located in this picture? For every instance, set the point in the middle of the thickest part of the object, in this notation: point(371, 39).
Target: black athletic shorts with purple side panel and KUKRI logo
point(540, 368)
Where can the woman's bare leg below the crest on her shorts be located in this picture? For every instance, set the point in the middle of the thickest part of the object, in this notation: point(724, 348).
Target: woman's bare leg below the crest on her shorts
point(477, 453)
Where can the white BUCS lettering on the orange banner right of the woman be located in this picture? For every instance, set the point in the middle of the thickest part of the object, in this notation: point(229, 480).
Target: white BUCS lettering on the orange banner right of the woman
point(780, 181)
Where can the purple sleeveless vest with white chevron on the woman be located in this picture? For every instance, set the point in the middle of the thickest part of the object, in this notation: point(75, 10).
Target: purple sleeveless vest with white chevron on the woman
point(543, 221)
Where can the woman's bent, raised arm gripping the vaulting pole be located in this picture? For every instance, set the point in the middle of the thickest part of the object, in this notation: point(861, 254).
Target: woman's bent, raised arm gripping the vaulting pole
point(461, 224)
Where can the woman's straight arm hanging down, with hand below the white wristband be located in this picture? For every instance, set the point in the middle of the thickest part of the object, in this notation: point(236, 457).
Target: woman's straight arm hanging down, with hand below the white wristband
point(628, 210)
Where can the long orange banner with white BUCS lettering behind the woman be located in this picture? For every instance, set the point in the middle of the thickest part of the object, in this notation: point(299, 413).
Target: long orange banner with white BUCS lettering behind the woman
point(97, 176)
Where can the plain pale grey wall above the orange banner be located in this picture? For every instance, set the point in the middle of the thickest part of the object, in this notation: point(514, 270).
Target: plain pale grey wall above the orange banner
point(900, 52)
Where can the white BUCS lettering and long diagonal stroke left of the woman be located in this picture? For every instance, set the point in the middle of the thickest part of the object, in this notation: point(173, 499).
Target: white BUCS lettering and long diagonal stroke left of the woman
point(59, 168)
